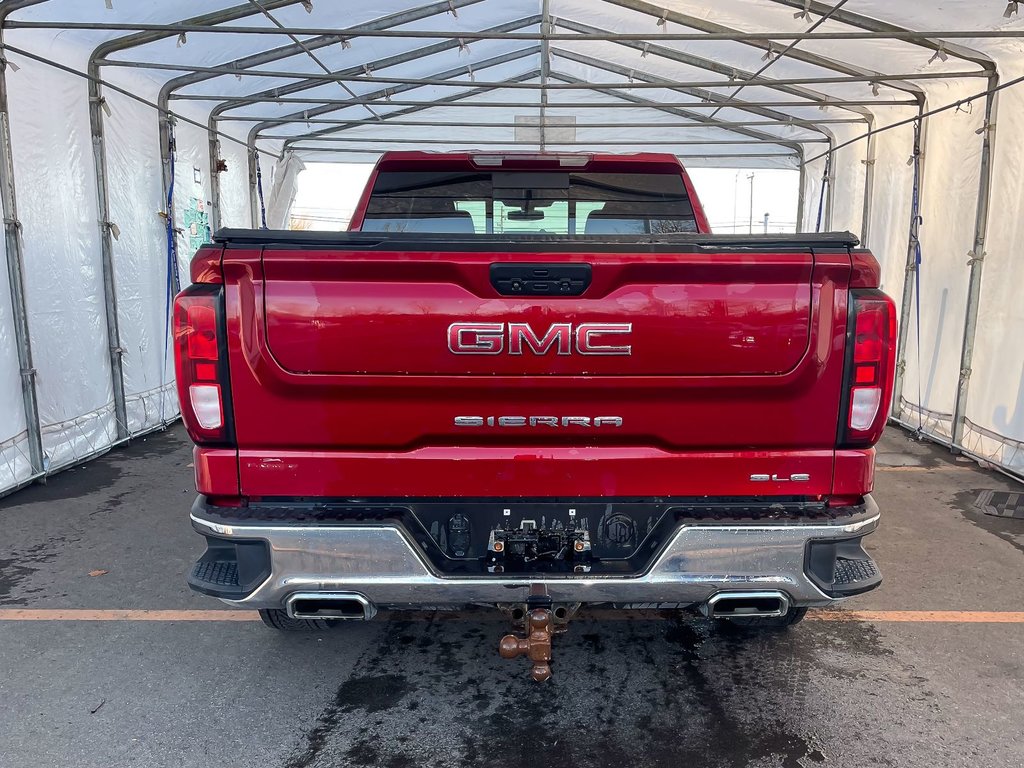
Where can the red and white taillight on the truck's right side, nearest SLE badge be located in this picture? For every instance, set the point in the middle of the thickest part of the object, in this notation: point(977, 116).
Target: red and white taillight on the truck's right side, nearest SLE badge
point(870, 368)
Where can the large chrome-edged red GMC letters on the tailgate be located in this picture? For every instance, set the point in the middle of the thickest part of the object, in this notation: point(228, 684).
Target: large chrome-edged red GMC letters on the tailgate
point(564, 338)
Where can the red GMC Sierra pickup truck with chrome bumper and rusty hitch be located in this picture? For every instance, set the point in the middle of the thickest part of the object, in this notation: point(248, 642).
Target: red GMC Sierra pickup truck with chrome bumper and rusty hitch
point(533, 382)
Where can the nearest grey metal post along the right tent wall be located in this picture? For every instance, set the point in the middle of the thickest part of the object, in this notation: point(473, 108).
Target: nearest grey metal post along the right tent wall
point(977, 263)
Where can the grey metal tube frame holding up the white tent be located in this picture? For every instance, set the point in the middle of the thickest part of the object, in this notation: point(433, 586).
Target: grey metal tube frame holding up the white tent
point(846, 97)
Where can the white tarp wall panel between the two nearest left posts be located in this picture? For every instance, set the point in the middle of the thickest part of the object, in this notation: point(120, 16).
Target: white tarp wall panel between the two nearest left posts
point(54, 167)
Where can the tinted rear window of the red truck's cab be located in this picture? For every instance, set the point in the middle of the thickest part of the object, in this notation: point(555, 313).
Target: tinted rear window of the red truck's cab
point(529, 203)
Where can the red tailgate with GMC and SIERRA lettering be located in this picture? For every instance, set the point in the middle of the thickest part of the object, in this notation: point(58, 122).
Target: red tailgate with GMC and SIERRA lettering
point(687, 353)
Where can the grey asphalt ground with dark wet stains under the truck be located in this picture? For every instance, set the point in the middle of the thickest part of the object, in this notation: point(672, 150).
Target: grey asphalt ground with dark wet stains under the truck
point(125, 667)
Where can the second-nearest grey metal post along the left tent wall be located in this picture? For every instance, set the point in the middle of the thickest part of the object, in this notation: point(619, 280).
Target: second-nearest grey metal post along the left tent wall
point(107, 233)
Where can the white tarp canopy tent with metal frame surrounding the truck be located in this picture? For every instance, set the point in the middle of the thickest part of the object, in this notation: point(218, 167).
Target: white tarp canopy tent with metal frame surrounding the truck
point(119, 115)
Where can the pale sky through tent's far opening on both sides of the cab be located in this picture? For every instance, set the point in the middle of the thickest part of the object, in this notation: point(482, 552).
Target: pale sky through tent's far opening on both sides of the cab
point(328, 194)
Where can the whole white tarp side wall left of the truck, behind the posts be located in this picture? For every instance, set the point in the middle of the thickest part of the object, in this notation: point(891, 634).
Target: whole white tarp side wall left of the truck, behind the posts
point(57, 195)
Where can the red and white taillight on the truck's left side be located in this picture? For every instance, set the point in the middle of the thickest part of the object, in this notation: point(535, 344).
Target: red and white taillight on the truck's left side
point(201, 365)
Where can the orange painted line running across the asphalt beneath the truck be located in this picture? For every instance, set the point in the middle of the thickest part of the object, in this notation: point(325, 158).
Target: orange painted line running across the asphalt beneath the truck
point(87, 615)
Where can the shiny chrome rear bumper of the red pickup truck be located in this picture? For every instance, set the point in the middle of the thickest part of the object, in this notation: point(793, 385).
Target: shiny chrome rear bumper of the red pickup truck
point(381, 564)
